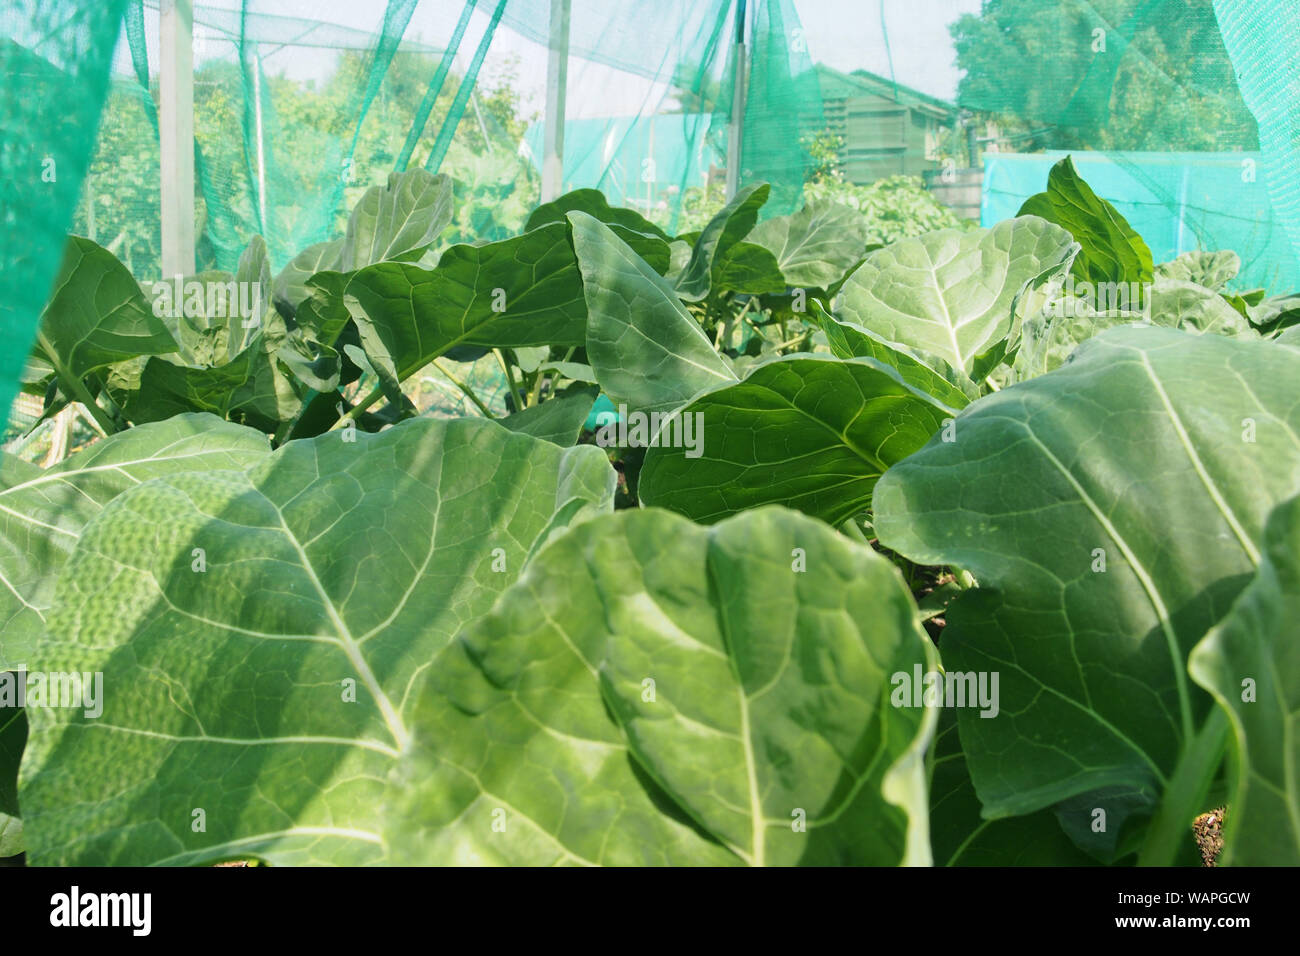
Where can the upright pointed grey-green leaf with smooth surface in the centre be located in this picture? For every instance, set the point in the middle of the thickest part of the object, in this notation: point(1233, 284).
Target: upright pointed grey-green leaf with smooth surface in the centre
point(647, 351)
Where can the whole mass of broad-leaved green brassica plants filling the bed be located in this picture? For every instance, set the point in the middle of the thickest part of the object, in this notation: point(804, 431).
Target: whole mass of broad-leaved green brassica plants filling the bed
point(980, 547)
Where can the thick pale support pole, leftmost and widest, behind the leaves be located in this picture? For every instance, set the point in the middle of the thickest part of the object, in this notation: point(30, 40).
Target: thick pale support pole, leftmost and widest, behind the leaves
point(176, 135)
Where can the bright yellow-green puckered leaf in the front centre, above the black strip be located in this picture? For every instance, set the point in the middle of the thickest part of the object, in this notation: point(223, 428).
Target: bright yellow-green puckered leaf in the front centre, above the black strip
point(656, 693)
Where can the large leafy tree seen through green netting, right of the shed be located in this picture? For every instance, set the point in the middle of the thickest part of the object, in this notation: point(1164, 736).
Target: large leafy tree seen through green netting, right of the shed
point(1103, 75)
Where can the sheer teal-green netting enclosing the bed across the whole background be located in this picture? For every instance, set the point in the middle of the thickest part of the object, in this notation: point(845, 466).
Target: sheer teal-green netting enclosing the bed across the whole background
point(300, 107)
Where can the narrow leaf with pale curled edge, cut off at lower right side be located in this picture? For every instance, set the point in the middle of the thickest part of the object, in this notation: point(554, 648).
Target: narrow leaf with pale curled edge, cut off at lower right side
point(1251, 664)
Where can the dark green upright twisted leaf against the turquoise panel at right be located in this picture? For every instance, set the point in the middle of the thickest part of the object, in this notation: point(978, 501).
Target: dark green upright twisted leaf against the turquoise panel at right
point(1112, 252)
